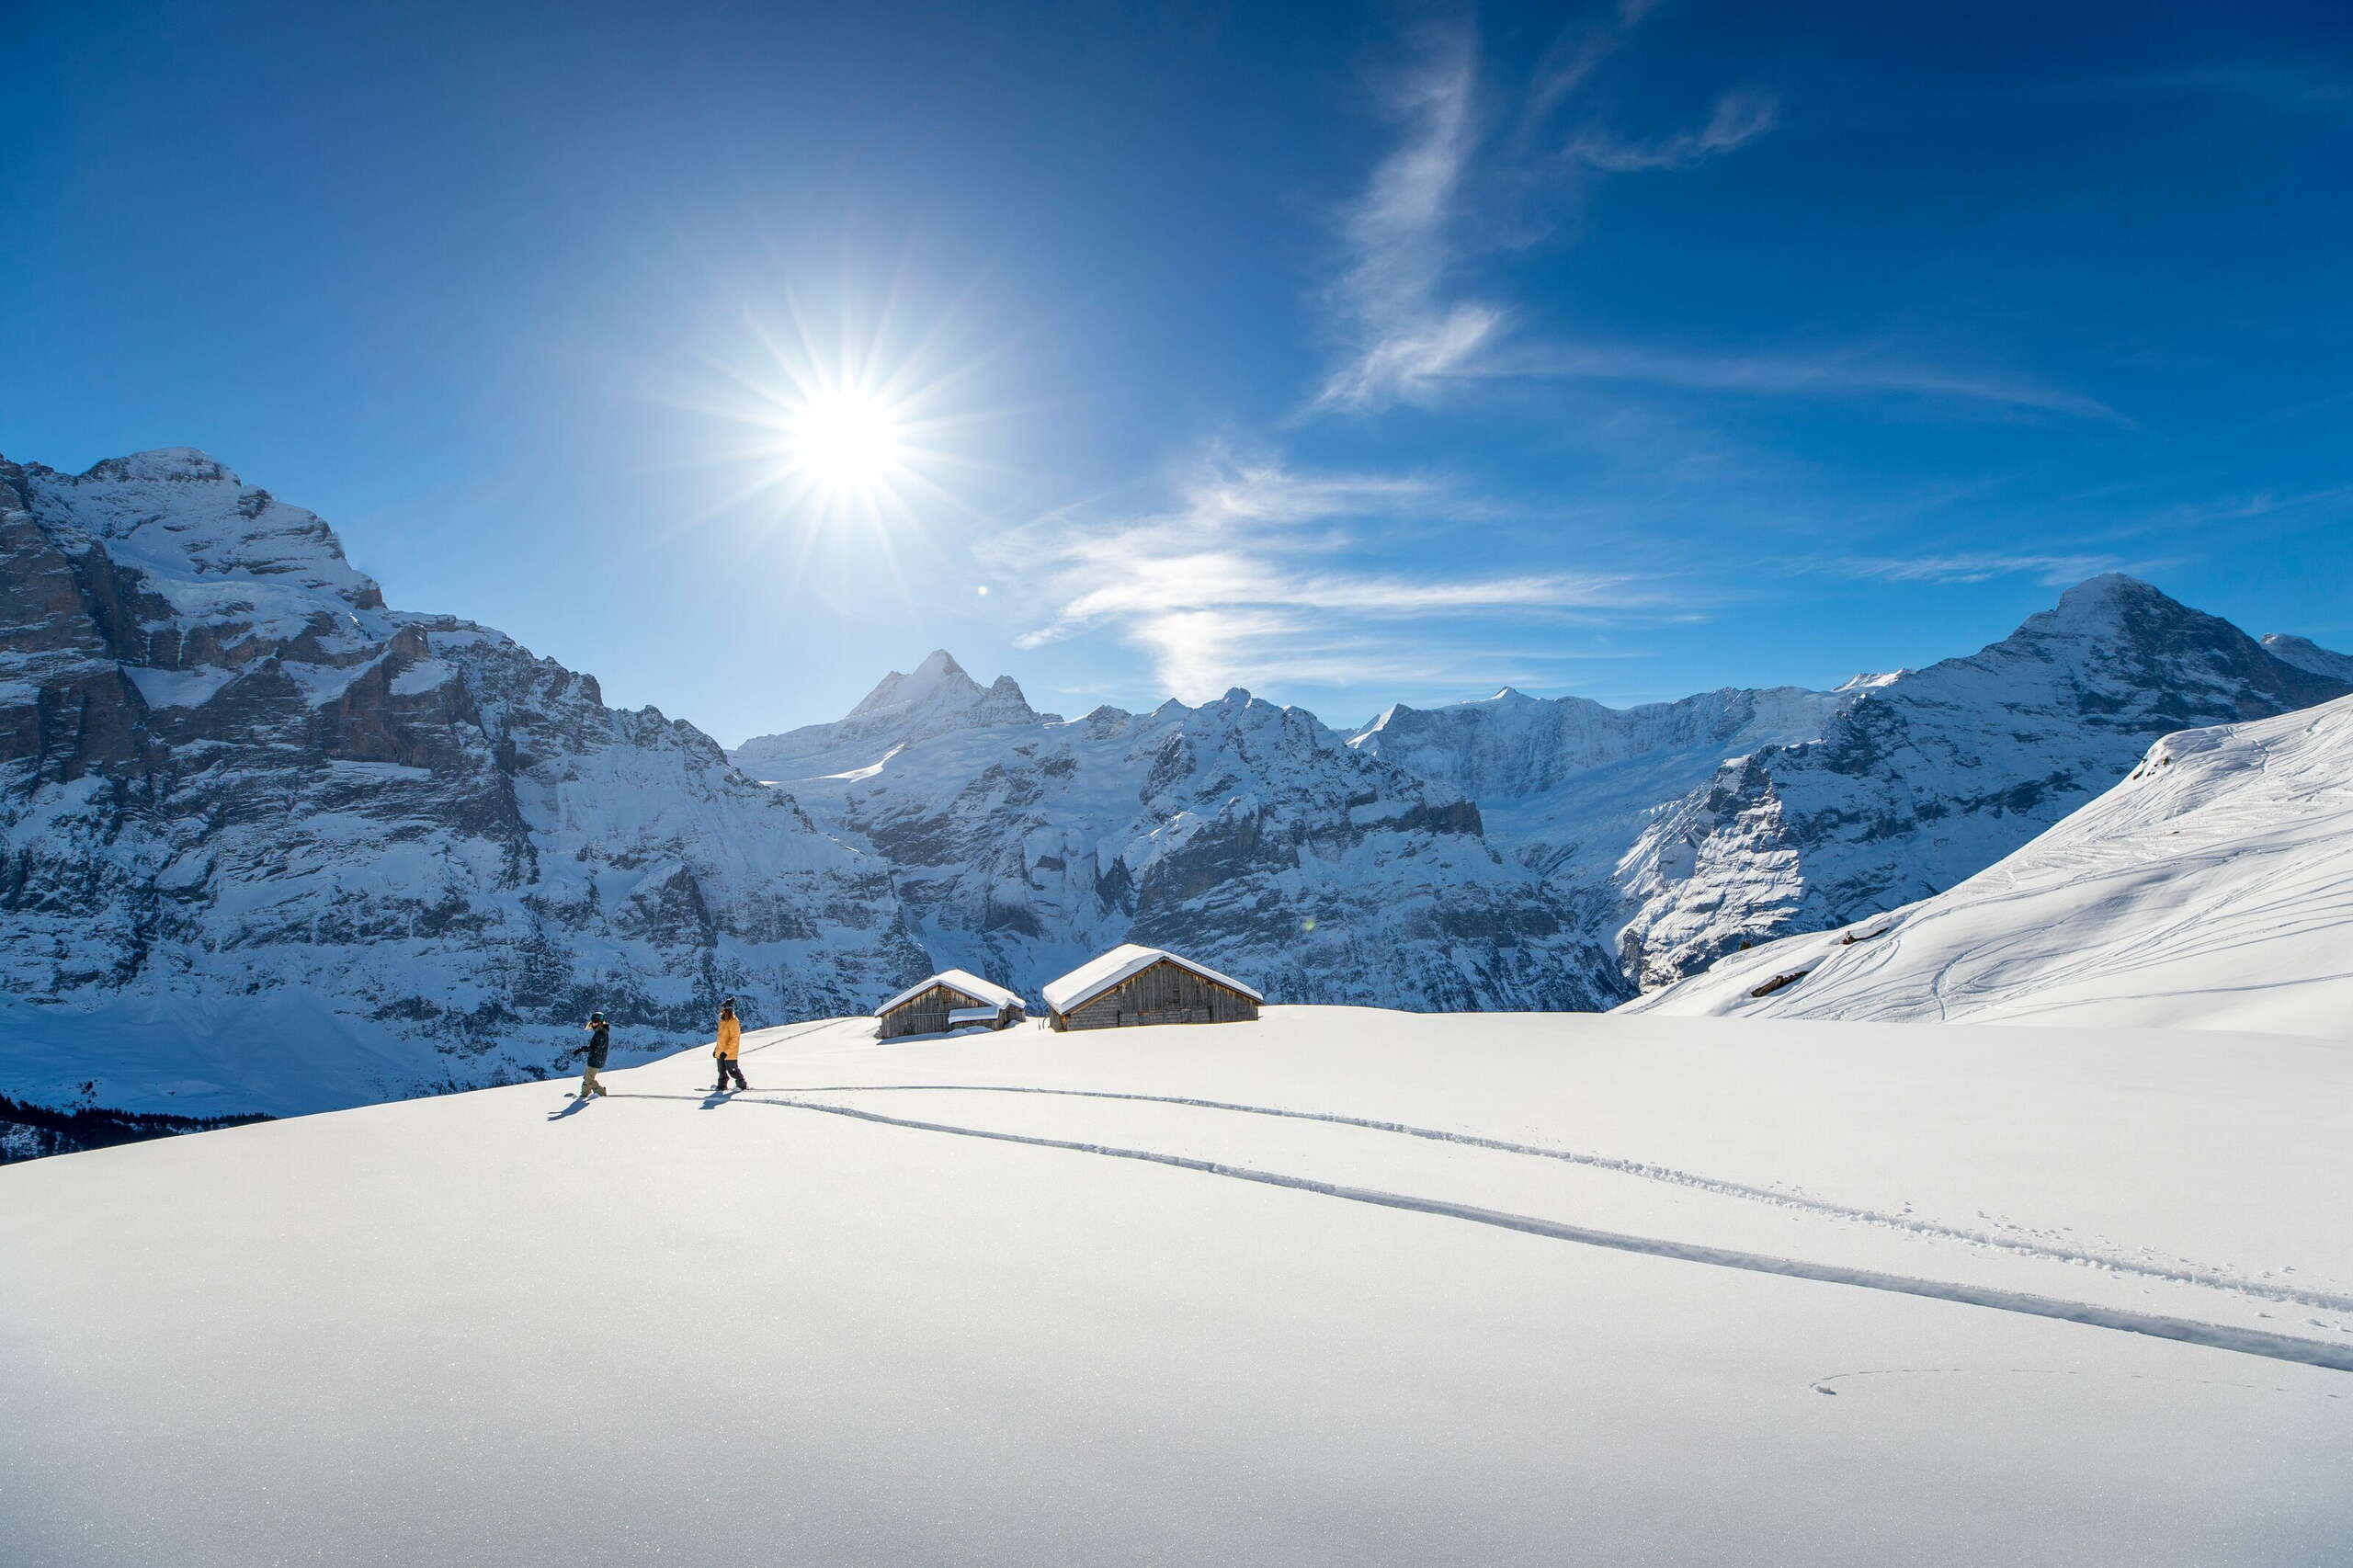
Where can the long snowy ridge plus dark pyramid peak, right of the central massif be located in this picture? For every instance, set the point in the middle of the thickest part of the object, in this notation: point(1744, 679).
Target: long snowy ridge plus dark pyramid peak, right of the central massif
point(1681, 832)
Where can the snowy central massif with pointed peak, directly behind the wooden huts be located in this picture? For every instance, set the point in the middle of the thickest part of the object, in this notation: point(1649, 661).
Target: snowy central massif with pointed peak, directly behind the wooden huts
point(1241, 832)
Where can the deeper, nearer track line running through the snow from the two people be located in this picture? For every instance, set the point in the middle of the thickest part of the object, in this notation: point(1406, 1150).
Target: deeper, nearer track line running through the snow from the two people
point(2187, 1331)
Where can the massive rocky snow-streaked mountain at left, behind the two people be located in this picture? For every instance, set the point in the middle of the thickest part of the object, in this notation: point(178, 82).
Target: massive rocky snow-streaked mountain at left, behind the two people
point(274, 846)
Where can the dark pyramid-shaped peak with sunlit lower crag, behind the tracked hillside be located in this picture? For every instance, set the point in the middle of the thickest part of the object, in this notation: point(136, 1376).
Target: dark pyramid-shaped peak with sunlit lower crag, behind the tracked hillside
point(1933, 776)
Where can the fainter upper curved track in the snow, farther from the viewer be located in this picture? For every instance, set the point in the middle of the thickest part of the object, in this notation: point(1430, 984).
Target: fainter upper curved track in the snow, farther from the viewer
point(1665, 1174)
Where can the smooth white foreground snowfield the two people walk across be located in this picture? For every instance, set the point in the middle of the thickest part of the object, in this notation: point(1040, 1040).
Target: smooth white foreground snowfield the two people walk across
point(1340, 1289)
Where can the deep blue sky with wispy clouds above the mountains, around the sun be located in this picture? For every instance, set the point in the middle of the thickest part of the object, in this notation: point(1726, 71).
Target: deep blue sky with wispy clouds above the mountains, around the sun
point(1349, 354)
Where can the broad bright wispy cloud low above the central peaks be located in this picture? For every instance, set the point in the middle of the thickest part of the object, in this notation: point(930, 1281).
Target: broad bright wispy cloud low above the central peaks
point(1253, 578)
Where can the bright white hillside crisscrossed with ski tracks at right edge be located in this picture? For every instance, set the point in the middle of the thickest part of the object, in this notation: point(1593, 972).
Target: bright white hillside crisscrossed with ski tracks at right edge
point(2211, 889)
